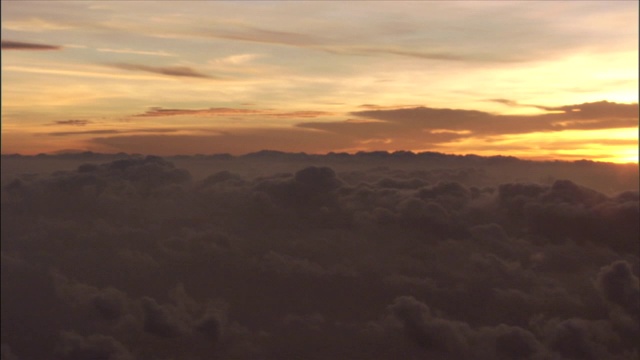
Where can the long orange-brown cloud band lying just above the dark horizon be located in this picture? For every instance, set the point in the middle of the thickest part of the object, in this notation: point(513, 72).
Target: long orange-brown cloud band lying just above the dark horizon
point(579, 131)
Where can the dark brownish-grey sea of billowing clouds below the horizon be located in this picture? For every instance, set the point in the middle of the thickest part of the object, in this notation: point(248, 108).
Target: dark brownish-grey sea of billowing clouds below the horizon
point(294, 256)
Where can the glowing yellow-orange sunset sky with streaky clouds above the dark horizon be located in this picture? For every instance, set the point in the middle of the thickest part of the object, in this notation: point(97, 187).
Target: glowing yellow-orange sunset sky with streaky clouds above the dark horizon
point(537, 80)
